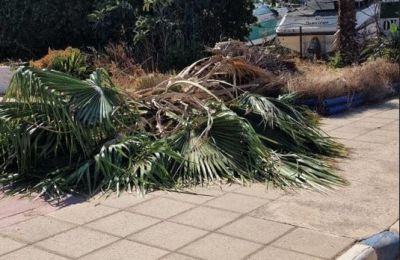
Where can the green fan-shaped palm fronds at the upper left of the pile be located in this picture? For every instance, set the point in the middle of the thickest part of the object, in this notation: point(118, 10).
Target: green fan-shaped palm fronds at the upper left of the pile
point(91, 100)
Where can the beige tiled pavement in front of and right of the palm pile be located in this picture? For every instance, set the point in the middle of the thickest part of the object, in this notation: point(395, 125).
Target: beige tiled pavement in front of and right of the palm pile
point(233, 222)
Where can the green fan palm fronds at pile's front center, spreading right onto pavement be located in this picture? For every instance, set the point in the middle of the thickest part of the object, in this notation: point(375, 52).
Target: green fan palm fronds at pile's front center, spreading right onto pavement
point(227, 148)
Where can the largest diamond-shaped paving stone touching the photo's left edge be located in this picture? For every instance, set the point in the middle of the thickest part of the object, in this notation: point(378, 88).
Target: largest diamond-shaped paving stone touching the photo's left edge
point(36, 229)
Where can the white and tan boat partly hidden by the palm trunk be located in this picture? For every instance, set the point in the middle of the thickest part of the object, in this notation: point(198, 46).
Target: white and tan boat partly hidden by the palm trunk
point(311, 28)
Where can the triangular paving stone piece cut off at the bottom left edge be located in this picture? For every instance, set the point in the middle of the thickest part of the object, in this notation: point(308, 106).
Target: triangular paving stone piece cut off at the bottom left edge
point(31, 253)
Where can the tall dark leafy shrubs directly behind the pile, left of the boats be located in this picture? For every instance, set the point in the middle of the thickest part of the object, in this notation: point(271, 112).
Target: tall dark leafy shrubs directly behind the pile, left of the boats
point(170, 34)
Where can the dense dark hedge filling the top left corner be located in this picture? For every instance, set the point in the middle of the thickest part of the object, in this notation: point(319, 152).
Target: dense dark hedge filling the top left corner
point(29, 27)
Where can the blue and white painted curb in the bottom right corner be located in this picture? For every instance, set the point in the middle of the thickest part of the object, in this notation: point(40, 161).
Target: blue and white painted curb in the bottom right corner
point(382, 246)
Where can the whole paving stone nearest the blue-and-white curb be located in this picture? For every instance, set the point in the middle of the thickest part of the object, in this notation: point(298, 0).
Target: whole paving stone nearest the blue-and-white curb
point(313, 243)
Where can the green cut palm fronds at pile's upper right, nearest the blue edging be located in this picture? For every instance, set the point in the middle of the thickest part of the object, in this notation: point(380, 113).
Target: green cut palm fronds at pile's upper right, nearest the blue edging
point(284, 128)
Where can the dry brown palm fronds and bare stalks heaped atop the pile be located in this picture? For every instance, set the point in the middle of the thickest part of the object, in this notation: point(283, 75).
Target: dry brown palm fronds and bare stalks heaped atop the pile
point(214, 79)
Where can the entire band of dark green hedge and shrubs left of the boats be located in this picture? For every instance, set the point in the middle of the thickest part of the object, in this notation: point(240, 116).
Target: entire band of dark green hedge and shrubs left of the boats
point(167, 34)
